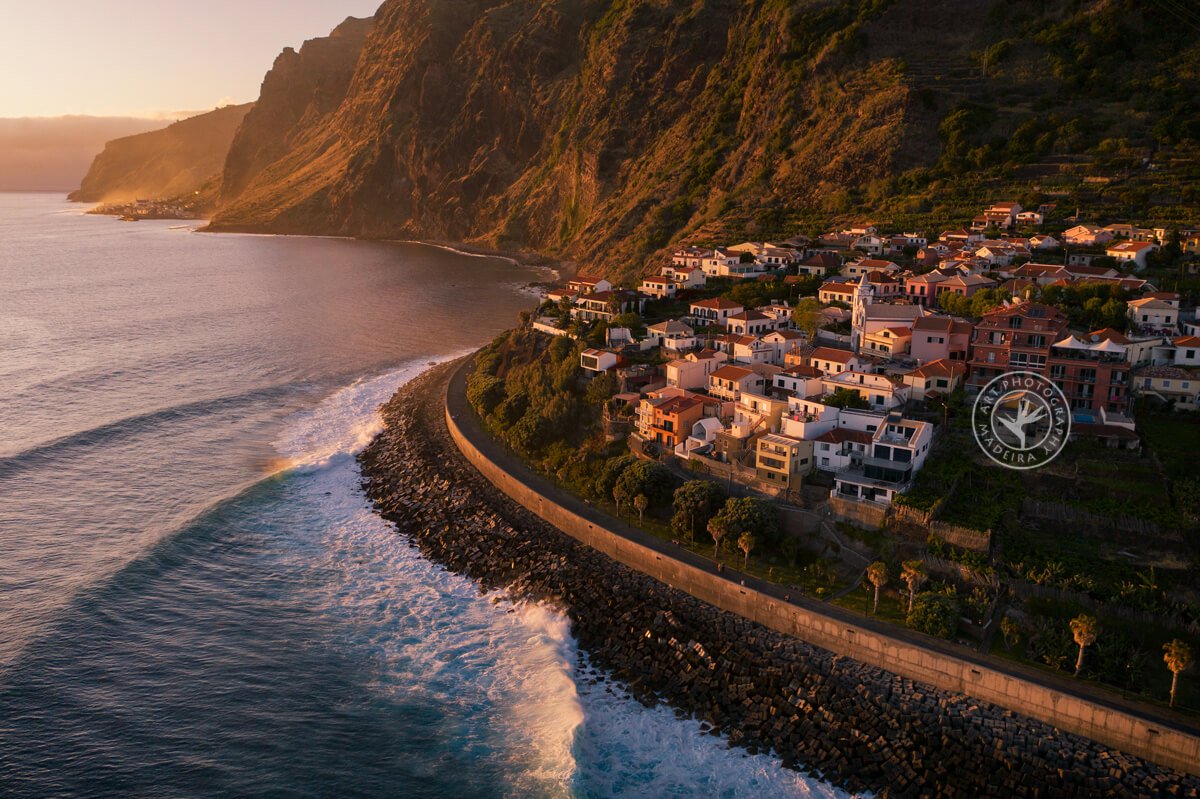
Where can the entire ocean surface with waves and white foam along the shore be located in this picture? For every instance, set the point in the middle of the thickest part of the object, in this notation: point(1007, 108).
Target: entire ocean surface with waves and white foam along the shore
point(195, 598)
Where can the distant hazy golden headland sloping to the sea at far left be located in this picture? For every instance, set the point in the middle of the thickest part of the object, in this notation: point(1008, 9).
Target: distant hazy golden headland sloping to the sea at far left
point(170, 163)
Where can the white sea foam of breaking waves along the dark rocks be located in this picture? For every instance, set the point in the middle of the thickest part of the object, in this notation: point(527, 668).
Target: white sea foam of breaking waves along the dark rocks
point(512, 672)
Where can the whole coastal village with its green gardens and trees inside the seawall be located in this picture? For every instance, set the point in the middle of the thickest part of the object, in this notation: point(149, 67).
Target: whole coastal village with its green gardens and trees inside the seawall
point(803, 407)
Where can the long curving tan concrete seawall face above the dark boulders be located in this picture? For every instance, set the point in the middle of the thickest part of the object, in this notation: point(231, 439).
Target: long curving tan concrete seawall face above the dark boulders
point(1114, 728)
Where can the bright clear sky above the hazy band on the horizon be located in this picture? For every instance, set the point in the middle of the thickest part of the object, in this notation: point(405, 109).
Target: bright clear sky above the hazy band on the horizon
point(149, 59)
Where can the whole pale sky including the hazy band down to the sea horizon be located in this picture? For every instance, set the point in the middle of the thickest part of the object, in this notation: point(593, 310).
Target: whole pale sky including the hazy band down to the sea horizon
point(117, 71)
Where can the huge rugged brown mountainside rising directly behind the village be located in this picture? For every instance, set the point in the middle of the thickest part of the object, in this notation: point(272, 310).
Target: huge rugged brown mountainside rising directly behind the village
point(605, 130)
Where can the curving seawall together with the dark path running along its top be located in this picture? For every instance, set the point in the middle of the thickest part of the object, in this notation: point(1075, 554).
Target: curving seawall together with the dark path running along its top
point(1100, 719)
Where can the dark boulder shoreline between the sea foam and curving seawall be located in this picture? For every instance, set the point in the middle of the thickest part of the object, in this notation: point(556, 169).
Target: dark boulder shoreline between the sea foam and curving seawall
point(856, 726)
